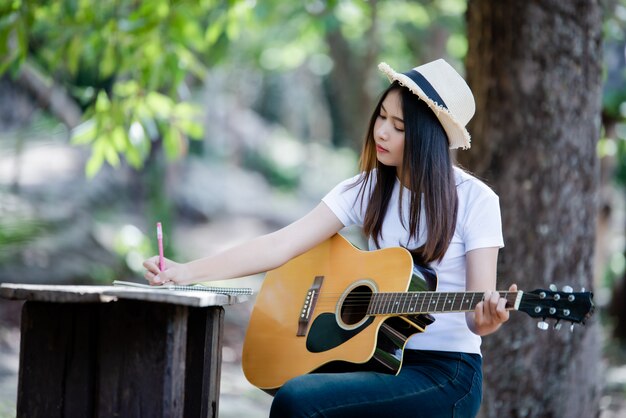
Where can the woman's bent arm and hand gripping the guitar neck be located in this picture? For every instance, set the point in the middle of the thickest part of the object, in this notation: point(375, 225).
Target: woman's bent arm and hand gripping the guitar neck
point(490, 314)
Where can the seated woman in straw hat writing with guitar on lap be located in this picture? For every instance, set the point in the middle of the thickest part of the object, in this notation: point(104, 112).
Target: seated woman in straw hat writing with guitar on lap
point(408, 194)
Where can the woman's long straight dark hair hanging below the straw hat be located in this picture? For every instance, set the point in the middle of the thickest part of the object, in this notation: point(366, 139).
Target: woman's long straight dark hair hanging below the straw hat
point(426, 171)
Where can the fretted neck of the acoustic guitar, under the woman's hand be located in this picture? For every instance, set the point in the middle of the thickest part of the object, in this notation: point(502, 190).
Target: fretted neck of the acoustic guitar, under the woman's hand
point(407, 303)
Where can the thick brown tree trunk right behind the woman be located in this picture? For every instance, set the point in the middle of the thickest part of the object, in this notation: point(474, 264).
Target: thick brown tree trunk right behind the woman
point(535, 67)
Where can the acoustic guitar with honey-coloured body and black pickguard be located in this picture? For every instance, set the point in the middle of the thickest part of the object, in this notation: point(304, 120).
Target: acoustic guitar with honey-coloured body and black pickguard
point(336, 308)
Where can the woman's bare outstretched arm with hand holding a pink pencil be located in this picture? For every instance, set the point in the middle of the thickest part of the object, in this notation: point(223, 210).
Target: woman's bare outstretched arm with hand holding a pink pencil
point(255, 256)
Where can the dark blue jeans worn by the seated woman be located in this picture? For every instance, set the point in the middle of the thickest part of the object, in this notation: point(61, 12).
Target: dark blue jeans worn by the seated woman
point(430, 384)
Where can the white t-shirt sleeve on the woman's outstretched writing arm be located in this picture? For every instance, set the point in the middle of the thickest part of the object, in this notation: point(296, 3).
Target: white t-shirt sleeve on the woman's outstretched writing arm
point(344, 201)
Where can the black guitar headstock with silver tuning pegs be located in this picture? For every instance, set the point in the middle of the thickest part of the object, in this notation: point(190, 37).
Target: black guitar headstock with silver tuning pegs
point(566, 305)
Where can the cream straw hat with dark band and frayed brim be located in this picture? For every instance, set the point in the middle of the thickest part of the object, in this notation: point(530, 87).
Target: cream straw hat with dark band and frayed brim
point(445, 92)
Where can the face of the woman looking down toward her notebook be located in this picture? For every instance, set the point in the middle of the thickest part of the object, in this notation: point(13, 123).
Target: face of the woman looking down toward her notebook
point(389, 131)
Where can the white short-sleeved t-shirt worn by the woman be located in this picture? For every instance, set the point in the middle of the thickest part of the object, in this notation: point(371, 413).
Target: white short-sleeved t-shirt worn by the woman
point(478, 226)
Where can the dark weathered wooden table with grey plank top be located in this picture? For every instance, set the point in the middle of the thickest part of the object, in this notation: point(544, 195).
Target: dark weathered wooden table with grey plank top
point(118, 352)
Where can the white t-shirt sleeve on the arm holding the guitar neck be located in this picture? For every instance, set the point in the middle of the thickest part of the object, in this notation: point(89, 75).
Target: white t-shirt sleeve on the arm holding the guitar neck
point(483, 223)
